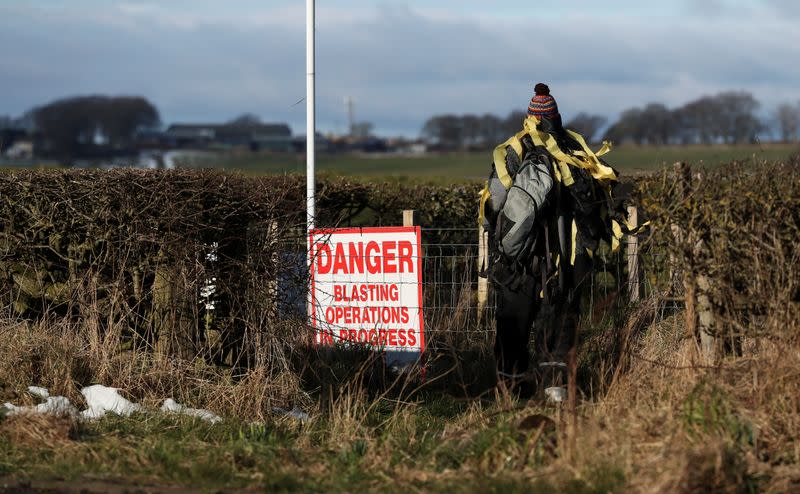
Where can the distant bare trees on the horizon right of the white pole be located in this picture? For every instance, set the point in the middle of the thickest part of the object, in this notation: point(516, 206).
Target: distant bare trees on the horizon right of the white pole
point(727, 117)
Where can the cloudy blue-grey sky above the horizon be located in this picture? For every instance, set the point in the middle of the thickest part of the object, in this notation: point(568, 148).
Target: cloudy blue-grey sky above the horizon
point(401, 60)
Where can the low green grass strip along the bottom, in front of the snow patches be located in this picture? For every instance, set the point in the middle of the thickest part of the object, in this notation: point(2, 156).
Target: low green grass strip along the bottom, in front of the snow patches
point(434, 444)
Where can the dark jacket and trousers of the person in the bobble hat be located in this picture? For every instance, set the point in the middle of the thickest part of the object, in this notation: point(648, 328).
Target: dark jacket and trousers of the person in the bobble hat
point(537, 292)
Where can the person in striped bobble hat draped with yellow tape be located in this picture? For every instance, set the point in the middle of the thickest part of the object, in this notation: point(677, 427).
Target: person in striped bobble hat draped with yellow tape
point(541, 288)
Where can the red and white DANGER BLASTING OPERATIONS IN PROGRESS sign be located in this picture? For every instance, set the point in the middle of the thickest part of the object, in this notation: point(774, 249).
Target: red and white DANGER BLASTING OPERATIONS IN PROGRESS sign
point(366, 287)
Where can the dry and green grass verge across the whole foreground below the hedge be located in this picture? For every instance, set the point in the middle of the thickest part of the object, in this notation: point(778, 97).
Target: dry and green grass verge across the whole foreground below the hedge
point(664, 424)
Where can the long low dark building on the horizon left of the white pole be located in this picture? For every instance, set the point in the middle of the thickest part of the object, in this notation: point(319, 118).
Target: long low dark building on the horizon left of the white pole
point(256, 137)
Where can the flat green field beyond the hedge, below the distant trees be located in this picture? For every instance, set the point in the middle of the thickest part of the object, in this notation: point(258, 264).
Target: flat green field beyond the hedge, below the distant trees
point(475, 165)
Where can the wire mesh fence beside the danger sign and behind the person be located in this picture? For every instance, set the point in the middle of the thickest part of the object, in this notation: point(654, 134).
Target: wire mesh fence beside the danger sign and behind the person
point(454, 314)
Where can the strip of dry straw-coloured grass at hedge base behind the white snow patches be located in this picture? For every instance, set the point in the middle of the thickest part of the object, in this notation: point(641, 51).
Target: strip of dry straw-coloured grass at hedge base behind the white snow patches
point(64, 357)
